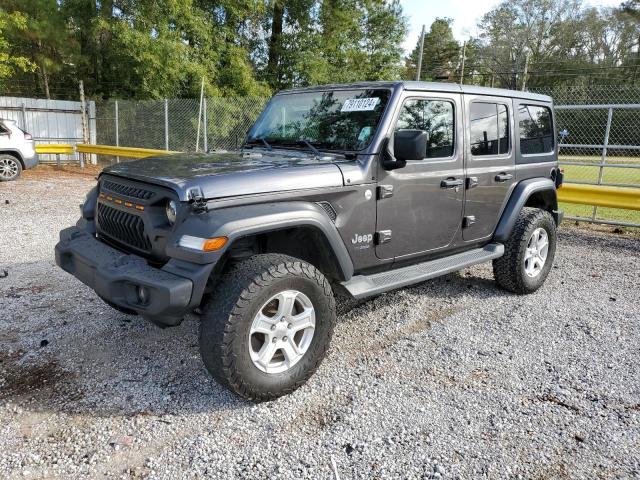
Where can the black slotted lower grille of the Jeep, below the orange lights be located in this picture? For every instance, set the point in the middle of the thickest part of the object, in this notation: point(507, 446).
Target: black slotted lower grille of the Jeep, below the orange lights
point(123, 227)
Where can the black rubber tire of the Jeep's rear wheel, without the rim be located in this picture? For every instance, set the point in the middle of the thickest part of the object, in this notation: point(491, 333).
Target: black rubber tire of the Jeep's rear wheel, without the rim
point(508, 270)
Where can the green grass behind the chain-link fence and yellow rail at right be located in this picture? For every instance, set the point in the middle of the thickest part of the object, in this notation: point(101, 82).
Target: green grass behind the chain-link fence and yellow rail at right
point(579, 173)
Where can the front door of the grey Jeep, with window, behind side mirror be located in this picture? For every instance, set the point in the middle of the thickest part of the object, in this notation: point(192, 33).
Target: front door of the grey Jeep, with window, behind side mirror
point(420, 206)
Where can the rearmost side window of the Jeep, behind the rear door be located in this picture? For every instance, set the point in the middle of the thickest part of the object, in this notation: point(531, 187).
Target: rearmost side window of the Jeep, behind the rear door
point(536, 133)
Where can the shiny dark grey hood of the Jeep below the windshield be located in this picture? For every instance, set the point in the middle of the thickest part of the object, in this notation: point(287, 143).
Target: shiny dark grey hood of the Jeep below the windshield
point(218, 175)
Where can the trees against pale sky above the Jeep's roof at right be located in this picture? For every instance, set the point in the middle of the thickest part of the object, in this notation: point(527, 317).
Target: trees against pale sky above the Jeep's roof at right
point(565, 42)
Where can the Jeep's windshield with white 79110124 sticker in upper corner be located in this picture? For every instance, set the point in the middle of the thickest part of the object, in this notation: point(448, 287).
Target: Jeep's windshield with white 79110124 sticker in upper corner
point(332, 119)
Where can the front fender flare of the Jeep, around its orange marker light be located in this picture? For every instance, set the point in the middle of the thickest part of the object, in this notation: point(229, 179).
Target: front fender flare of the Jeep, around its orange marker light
point(242, 221)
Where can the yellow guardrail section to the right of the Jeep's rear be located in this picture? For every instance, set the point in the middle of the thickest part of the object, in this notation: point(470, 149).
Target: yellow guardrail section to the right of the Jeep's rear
point(600, 196)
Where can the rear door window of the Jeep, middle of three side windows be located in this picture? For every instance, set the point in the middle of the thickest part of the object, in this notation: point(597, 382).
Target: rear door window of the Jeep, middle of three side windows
point(489, 125)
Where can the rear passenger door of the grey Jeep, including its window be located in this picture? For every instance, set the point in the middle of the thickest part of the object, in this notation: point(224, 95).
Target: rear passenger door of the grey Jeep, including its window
point(490, 165)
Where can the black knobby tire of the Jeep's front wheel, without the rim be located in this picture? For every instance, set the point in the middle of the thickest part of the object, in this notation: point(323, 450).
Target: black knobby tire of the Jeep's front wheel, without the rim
point(229, 312)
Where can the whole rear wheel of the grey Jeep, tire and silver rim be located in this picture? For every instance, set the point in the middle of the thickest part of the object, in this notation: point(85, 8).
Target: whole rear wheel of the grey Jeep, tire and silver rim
point(529, 252)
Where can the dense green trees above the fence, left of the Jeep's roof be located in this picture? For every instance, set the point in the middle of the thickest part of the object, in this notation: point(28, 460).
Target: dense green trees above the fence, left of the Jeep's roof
point(150, 49)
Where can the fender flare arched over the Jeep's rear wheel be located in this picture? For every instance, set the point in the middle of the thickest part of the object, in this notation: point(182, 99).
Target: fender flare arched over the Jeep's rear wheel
point(518, 199)
